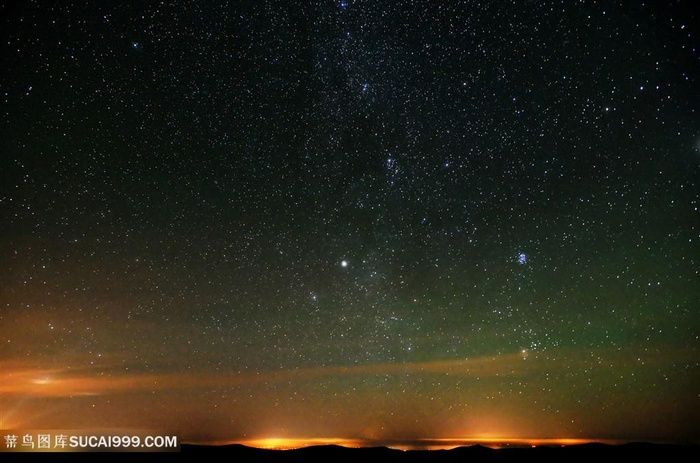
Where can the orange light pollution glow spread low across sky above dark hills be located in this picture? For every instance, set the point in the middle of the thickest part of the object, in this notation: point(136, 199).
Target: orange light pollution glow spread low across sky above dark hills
point(39, 394)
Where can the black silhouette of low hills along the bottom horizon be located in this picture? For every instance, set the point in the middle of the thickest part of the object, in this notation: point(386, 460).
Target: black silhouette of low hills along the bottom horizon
point(336, 454)
